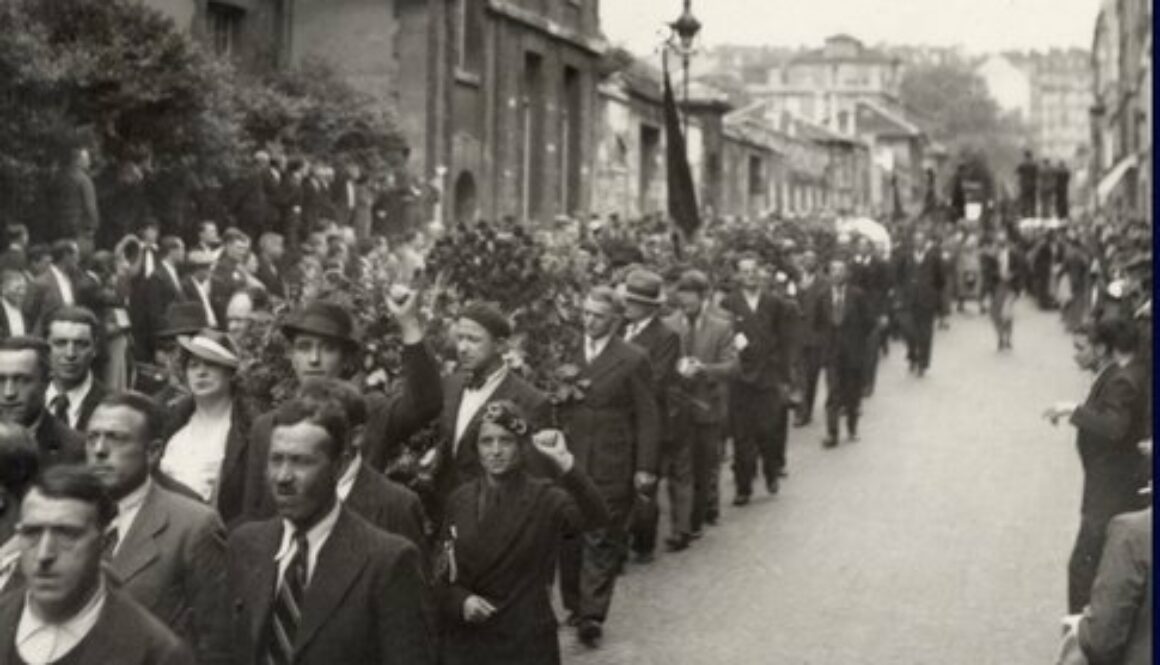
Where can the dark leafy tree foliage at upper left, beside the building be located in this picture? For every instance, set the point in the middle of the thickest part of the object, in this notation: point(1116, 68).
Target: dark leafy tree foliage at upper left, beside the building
point(121, 79)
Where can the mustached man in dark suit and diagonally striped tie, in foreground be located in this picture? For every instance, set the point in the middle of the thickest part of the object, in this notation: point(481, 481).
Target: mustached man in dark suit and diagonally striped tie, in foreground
point(320, 584)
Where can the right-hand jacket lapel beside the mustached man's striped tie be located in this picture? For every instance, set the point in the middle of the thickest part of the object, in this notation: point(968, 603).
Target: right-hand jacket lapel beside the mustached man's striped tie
point(339, 565)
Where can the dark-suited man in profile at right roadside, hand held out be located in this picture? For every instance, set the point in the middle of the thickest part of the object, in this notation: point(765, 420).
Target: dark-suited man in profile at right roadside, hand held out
point(1110, 425)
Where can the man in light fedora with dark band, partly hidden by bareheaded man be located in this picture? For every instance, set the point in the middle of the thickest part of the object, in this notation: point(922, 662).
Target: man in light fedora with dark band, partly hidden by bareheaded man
point(643, 295)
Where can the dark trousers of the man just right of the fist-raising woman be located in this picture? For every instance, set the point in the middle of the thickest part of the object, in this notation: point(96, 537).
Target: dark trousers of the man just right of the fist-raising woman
point(591, 562)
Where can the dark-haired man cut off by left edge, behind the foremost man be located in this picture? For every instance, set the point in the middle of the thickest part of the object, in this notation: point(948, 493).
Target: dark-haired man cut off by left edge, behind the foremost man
point(19, 466)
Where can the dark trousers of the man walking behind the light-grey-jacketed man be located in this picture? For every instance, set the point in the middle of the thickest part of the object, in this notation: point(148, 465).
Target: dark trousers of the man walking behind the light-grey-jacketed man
point(757, 417)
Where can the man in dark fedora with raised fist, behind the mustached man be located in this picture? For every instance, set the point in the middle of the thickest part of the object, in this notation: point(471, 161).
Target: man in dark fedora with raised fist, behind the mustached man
point(323, 345)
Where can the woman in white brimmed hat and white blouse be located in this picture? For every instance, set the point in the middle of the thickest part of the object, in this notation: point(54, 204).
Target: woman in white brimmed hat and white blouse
point(206, 452)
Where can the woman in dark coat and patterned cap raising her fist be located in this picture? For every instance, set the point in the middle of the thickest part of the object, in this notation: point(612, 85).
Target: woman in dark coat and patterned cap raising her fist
point(501, 541)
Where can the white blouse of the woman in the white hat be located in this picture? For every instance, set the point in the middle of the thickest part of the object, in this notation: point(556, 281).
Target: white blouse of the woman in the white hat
point(194, 454)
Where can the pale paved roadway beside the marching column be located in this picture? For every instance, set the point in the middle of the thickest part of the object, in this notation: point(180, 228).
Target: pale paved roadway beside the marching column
point(940, 539)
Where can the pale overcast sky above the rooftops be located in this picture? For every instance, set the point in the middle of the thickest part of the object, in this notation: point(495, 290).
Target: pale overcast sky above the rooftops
point(976, 25)
